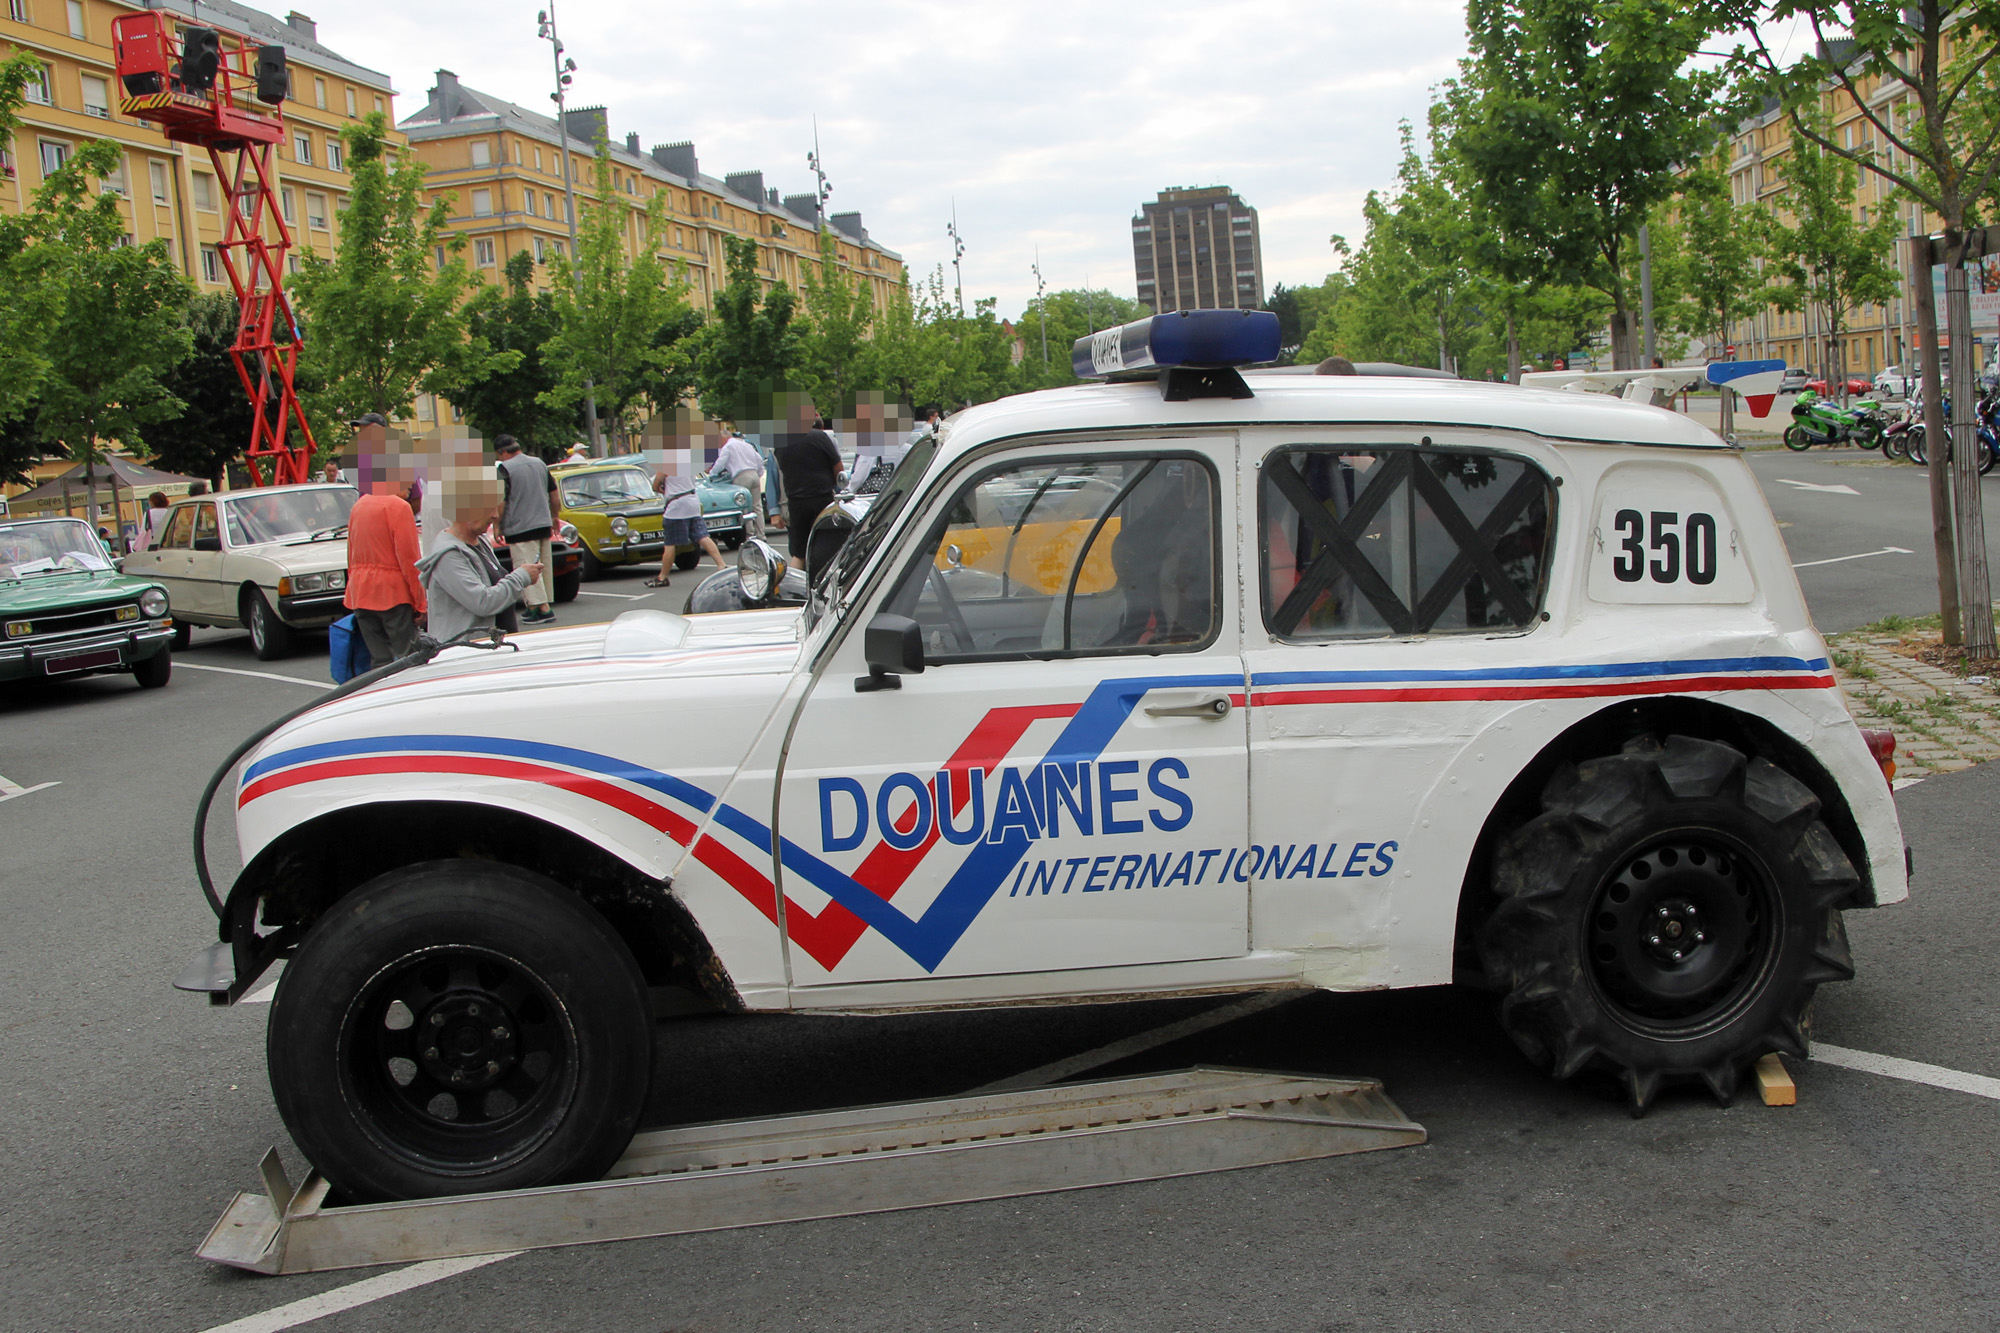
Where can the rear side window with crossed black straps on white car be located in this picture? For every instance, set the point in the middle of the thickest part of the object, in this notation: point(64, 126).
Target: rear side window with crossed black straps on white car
point(1403, 541)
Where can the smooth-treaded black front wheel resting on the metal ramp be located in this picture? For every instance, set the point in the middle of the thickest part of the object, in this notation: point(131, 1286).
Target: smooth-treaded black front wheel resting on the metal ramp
point(461, 1028)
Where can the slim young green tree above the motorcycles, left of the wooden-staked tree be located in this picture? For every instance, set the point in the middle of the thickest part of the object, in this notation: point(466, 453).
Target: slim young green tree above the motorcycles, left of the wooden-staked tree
point(1825, 259)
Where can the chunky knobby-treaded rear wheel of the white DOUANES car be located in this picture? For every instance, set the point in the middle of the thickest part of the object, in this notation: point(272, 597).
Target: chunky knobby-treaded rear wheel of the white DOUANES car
point(1667, 918)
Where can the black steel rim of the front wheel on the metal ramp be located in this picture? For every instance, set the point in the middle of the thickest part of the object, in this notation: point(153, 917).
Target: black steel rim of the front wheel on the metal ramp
point(459, 1060)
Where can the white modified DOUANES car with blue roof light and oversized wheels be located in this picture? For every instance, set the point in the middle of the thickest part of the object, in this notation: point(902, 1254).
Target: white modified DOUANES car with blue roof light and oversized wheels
point(1191, 682)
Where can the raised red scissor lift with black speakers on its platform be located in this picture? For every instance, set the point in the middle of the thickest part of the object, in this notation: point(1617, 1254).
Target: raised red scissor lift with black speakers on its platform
point(221, 93)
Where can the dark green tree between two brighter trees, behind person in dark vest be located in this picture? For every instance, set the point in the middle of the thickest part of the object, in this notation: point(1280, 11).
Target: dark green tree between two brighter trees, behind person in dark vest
point(517, 319)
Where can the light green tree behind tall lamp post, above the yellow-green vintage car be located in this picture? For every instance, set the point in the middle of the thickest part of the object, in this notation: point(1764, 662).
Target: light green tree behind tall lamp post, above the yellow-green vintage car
point(621, 317)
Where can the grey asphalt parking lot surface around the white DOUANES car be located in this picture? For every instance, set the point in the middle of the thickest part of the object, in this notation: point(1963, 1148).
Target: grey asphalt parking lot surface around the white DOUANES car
point(135, 1112)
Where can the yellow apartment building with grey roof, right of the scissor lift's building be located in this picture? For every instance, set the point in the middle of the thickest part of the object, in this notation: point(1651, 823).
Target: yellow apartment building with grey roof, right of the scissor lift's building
point(503, 167)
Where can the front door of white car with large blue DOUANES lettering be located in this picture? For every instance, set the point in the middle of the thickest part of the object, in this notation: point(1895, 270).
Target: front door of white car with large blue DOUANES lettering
point(1063, 786)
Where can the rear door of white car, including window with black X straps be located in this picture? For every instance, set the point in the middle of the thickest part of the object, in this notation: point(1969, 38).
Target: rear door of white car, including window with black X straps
point(1401, 575)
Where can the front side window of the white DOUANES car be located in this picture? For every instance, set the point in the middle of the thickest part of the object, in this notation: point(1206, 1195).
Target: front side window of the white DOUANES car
point(1069, 555)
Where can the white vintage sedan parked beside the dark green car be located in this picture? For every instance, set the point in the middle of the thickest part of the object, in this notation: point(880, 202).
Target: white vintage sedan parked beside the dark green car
point(271, 559)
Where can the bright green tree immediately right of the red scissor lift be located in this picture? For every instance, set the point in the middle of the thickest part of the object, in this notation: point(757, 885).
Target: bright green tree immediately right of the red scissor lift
point(385, 317)
